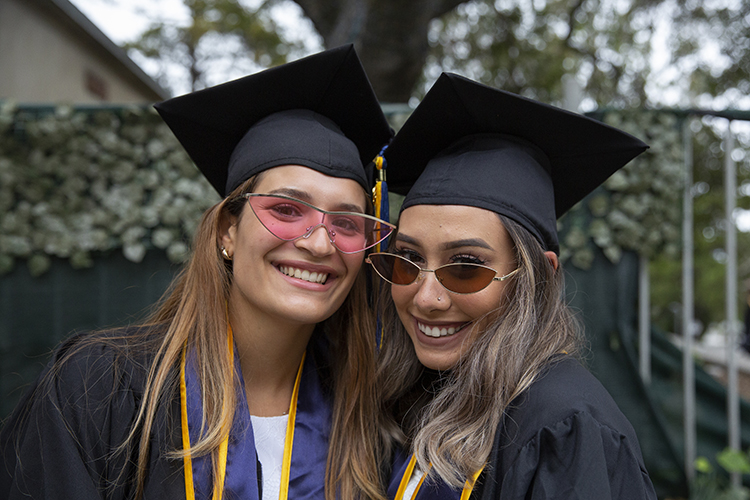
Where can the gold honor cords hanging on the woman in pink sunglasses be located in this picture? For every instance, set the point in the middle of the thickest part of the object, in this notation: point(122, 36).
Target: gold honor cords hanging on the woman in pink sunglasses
point(223, 447)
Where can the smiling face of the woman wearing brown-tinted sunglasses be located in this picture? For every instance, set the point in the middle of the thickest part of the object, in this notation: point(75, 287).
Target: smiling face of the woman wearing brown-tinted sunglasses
point(439, 322)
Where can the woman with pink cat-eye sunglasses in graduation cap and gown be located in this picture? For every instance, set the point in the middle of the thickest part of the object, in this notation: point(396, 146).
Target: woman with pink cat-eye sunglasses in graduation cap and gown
point(254, 377)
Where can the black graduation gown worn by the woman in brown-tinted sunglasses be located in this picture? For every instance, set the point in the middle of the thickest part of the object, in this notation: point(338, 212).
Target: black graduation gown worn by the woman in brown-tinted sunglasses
point(565, 438)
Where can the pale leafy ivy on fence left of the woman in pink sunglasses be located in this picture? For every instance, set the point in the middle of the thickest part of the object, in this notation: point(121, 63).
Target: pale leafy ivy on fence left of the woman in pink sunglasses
point(74, 182)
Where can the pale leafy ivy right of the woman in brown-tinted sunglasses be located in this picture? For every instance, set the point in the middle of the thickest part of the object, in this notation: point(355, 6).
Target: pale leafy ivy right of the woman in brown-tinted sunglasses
point(639, 207)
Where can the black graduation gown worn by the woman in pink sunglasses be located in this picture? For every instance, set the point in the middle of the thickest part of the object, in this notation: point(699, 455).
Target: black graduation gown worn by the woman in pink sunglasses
point(56, 443)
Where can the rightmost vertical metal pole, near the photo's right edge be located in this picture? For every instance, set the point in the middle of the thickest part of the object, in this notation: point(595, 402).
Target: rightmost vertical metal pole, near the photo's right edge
point(733, 405)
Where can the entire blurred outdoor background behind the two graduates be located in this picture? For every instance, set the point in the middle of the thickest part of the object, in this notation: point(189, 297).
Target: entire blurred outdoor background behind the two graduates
point(98, 201)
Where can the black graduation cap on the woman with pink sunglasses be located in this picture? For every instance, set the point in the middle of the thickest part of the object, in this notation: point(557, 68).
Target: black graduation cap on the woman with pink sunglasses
point(319, 112)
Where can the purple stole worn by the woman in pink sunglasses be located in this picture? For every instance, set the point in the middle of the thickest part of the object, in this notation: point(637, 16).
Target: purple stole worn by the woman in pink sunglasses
point(309, 450)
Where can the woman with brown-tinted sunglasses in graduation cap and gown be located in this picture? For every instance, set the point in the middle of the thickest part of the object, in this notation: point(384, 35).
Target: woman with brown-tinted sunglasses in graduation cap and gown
point(482, 393)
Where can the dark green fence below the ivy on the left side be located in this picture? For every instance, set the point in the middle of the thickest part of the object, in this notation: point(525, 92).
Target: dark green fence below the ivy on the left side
point(37, 312)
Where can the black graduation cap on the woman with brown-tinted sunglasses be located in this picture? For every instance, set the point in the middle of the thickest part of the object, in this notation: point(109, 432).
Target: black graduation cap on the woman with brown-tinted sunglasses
point(470, 144)
